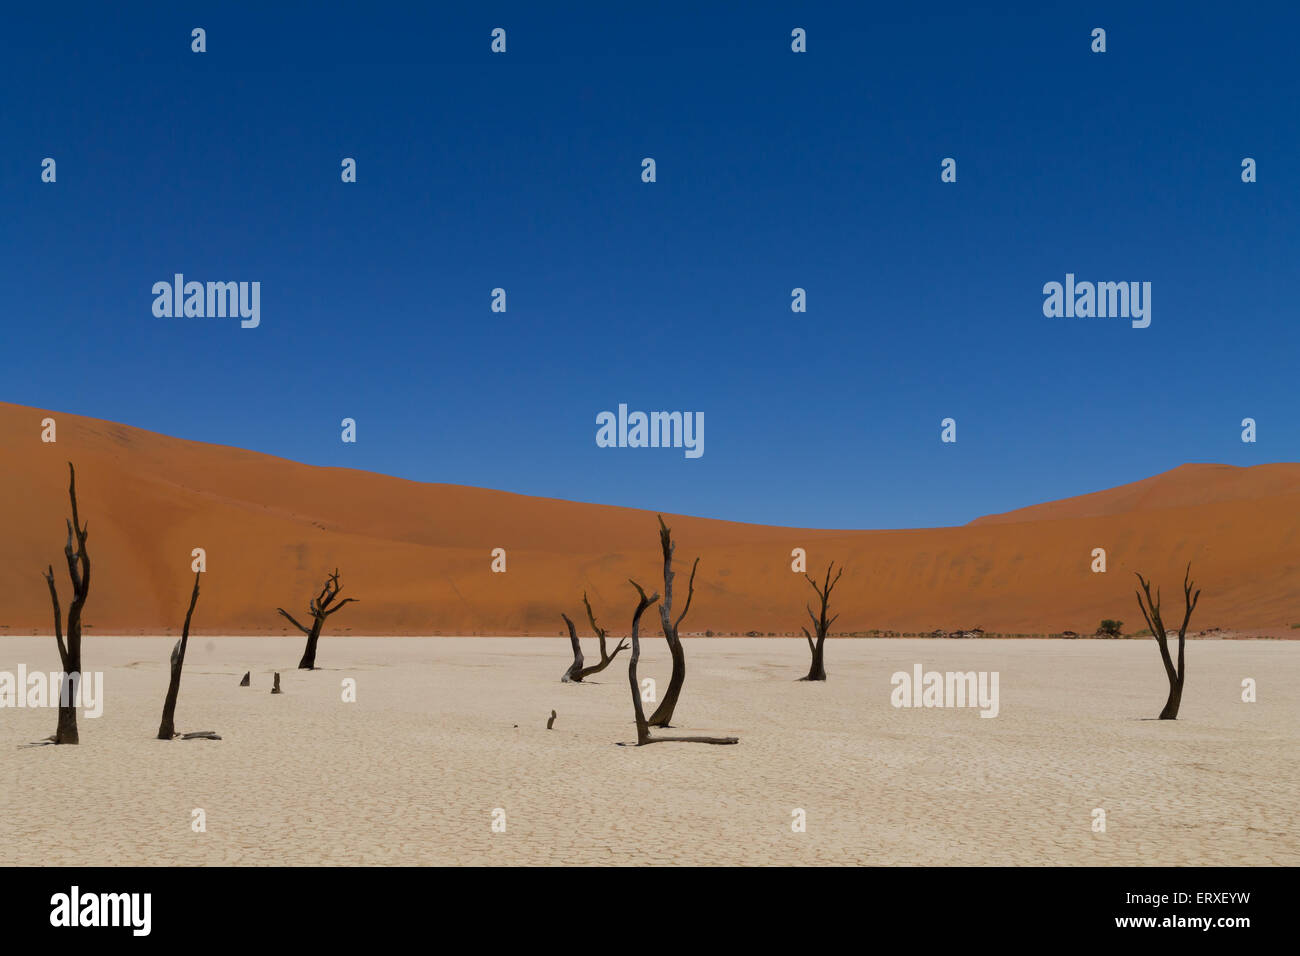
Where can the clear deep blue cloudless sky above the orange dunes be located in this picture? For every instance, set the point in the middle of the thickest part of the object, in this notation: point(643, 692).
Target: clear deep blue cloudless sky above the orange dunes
point(774, 171)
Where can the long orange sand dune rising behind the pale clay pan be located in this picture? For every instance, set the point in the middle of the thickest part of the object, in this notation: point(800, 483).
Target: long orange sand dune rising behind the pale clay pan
point(418, 556)
